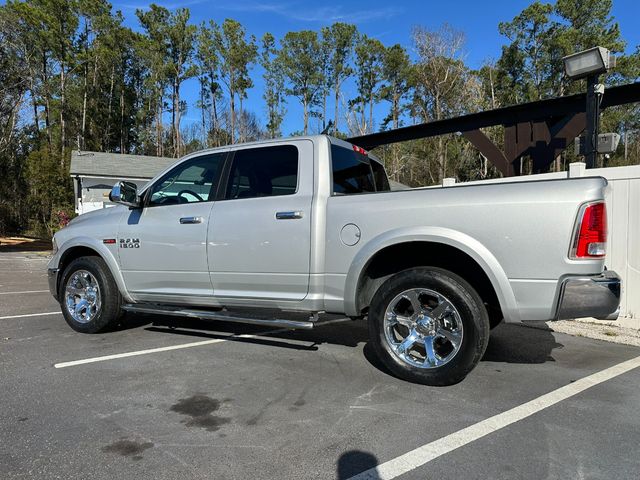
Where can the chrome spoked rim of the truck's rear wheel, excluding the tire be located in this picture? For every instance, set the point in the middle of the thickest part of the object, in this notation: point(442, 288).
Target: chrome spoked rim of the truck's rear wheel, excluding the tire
point(423, 328)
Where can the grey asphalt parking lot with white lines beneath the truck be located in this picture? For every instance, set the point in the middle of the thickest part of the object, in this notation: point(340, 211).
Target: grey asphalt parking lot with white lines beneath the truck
point(166, 398)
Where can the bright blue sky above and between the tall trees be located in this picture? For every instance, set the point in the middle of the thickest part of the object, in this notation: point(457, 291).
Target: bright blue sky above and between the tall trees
point(389, 21)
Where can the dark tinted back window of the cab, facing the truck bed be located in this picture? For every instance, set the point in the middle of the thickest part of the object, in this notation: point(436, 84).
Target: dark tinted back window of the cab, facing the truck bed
point(354, 172)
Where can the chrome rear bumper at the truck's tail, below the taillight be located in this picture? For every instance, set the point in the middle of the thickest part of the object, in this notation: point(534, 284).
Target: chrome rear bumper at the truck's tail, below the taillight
point(590, 296)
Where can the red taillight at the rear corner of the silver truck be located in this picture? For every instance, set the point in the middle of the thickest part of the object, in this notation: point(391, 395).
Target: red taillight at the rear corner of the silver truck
point(590, 239)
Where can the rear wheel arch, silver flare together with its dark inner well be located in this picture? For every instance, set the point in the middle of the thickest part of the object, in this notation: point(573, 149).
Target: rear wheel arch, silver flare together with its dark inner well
point(428, 246)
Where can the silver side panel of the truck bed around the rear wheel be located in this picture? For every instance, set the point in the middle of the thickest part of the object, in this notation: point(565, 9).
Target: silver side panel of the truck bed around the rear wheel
point(519, 232)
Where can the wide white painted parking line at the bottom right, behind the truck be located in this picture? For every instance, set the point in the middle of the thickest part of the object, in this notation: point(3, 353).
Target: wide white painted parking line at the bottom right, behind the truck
point(426, 453)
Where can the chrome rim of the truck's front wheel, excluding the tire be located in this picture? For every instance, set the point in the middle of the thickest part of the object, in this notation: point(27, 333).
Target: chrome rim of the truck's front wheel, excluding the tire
point(82, 296)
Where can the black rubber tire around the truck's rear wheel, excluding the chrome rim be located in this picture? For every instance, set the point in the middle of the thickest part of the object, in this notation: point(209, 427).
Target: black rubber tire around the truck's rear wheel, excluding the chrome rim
point(471, 311)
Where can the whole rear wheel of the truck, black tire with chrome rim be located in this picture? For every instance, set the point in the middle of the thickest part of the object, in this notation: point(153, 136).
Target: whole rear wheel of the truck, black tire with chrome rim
point(429, 326)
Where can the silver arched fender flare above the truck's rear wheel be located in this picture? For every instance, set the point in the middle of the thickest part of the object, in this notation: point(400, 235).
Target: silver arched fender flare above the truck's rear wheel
point(463, 242)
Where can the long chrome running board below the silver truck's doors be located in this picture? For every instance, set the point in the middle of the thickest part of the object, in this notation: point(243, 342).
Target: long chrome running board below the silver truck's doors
point(220, 316)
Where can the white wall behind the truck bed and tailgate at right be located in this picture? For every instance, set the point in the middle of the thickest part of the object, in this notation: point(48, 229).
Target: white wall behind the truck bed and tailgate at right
point(623, 209)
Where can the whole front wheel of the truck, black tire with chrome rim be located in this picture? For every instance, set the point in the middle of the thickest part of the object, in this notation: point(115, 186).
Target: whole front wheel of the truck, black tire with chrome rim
point(89, 297)
